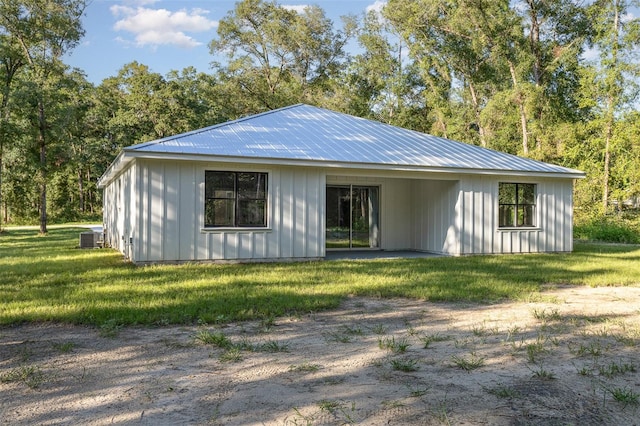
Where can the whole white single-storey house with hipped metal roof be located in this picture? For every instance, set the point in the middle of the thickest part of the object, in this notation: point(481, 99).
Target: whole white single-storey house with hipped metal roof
point(295, 182)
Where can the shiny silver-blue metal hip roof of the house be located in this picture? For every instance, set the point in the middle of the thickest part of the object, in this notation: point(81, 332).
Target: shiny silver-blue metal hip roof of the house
point(310, 134)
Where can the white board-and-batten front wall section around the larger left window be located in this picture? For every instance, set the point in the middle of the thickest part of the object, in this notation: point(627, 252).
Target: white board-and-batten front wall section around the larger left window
point(170, 227)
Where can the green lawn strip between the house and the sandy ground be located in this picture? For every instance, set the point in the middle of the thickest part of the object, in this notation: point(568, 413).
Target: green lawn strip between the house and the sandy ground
point(49, 279)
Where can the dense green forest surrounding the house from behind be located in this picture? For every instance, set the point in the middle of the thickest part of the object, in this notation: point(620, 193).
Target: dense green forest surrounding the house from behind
point(553, 80)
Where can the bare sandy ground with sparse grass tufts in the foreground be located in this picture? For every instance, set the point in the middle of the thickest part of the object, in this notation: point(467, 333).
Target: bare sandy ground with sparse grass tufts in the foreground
point(568, 356)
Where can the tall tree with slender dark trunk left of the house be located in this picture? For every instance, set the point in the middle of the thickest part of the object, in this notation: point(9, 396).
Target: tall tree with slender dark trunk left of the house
point(45, 30)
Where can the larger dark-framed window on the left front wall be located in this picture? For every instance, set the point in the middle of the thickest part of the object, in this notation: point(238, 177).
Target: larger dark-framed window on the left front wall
point(235, 199)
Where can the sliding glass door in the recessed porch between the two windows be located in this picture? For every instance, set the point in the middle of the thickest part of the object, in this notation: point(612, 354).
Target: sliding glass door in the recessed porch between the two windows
point(352, 217)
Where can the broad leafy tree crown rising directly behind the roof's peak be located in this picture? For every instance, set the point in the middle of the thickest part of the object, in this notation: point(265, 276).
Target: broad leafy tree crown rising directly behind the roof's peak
point(277, 56)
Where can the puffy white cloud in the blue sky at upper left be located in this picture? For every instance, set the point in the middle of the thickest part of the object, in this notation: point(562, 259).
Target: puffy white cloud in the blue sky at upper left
point(156, 27)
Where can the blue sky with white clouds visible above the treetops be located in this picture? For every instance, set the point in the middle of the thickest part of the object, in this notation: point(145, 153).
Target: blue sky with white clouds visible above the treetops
point(167, 35)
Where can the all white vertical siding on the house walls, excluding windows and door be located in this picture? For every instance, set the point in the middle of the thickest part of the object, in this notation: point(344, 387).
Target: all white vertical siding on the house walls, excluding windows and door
point(160, 205)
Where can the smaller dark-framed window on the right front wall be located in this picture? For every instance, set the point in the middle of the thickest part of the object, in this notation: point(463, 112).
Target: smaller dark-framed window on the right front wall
point(516, 205)
